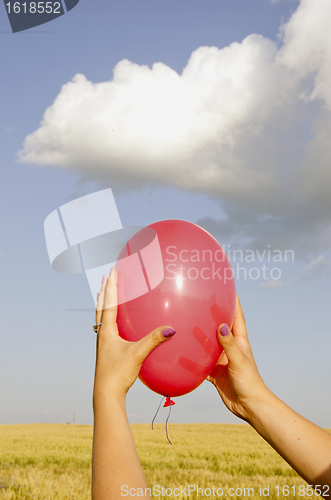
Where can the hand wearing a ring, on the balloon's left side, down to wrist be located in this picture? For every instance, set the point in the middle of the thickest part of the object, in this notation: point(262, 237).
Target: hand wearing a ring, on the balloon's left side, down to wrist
point(119, 361)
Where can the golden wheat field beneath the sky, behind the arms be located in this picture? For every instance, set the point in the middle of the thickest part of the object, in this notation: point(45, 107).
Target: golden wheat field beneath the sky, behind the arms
point(53, 461)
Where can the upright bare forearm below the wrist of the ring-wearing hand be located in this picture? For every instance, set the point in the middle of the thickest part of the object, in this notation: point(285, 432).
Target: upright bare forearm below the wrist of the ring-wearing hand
point(115, 462)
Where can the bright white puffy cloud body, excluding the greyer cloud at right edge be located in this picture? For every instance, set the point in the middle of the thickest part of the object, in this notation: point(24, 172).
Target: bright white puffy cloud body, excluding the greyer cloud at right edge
point(156, 125)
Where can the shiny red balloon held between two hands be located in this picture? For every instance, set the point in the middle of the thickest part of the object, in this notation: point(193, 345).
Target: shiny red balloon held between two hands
point(175, 273)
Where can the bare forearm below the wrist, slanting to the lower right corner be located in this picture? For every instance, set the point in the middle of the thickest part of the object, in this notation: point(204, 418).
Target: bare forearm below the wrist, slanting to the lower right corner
point(304, 445)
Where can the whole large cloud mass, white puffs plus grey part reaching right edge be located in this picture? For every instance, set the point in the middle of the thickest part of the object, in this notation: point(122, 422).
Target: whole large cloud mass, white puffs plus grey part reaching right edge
point(248, 123)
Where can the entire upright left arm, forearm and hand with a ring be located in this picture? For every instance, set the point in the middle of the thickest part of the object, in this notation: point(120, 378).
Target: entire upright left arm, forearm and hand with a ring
point(115, 463)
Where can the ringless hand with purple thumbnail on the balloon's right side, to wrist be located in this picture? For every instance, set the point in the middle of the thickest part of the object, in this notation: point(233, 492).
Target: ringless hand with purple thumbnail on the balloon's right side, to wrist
point(235, 375)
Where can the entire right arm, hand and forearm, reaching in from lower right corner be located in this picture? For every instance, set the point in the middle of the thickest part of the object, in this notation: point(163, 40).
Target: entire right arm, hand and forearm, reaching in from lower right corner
point(304, 445)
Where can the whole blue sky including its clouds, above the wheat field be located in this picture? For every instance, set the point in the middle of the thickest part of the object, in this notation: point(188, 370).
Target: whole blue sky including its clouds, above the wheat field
point(249, 161)
